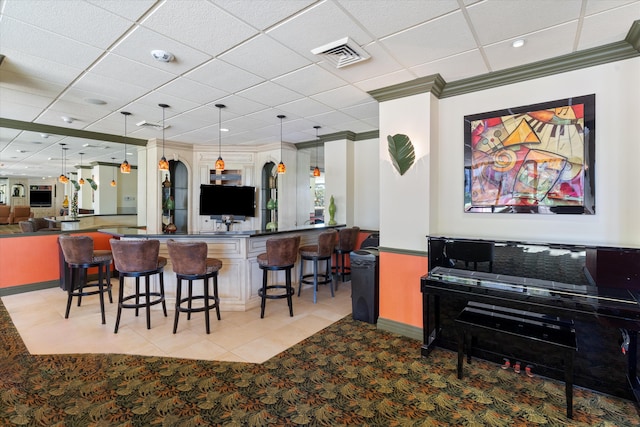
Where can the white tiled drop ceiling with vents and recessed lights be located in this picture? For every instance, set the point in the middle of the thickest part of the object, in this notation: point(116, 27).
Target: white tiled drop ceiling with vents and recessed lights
point(255, 57)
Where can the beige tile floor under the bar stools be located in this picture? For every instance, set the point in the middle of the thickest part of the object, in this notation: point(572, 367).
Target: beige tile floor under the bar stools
point(239, 336)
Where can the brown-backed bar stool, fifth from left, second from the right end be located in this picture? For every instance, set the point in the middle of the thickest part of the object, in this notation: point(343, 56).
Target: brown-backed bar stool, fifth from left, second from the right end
point(316, 253)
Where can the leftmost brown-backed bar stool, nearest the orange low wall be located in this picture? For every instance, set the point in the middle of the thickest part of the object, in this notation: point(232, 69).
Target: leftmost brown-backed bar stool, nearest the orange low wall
point(79, 256)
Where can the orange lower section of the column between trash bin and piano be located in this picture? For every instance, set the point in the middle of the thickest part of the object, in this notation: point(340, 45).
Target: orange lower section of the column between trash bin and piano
point(400, 296)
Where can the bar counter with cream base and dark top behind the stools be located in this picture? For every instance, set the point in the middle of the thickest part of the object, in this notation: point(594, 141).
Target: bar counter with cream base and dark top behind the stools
point(240, 277)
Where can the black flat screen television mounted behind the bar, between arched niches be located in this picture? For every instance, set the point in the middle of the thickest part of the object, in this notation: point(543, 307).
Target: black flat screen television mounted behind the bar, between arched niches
point(227, 200)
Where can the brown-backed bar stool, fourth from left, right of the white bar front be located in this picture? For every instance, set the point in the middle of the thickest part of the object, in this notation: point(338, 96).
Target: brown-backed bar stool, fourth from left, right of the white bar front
point(281, 254)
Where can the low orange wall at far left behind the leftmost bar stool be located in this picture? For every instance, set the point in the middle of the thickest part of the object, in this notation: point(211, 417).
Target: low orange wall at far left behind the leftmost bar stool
point(29, 259)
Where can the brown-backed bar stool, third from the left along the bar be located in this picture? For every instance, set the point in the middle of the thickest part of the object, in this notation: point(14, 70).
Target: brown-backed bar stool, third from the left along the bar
point(190, 262)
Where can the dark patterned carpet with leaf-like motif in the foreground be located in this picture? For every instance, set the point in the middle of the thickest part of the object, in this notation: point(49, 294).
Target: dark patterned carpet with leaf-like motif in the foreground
point(349, 374)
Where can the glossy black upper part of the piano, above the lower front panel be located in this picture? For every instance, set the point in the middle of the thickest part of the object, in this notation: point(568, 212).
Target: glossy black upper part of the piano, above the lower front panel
point(610, 274)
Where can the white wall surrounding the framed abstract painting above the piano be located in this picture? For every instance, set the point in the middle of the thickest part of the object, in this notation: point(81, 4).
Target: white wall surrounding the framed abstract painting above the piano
point(617, 89)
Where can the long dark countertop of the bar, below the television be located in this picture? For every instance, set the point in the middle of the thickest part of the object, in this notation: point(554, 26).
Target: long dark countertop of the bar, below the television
point(137, 232)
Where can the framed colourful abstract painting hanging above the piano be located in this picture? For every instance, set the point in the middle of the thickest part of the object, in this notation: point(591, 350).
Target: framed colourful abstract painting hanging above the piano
point(532, 159)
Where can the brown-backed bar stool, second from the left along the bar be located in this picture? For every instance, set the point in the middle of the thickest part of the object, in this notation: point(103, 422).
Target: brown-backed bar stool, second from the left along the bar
point(139, 258)
